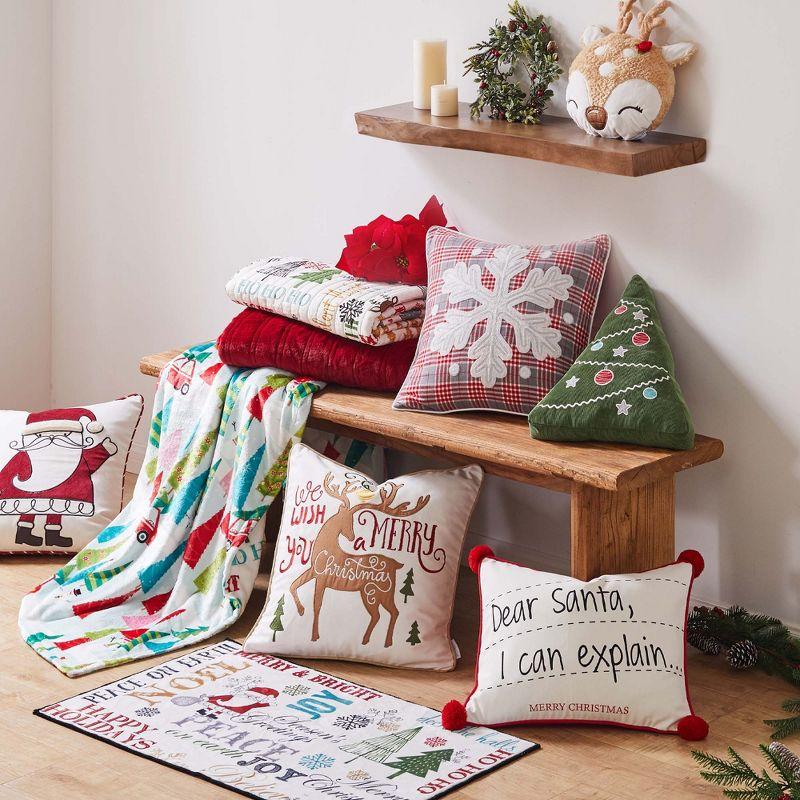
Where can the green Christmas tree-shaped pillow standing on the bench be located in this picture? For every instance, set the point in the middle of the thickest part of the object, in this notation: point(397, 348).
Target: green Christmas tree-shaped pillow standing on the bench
point(622, 388)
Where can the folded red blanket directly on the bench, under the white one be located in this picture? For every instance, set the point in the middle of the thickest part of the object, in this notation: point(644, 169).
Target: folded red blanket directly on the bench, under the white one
point(257, 338)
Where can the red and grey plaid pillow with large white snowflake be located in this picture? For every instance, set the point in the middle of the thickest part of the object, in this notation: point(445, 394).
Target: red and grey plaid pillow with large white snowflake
point(503, 323)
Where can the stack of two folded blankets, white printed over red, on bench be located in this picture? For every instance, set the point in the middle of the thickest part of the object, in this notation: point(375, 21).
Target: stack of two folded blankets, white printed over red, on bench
point(314, 319)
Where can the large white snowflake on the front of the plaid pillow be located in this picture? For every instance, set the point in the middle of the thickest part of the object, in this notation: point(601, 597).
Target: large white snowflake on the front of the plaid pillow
point(532, 332)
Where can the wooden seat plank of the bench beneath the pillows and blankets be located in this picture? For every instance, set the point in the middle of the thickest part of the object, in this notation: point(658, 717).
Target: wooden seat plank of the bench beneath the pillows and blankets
point(500, 443)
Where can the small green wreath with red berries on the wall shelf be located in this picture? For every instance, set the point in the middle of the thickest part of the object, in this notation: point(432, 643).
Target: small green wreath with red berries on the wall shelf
point(519, 52)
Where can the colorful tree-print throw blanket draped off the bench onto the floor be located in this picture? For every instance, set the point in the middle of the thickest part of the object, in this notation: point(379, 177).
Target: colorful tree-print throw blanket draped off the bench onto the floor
point(178, 563)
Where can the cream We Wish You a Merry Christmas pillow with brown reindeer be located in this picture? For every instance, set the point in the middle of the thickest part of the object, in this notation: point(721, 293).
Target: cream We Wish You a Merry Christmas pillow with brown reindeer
point(365, 571)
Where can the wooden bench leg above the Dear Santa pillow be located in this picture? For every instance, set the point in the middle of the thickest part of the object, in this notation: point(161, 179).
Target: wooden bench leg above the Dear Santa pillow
point(627, 531)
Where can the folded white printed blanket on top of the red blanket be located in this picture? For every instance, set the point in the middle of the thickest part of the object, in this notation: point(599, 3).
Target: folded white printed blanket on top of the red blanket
point(331, 299)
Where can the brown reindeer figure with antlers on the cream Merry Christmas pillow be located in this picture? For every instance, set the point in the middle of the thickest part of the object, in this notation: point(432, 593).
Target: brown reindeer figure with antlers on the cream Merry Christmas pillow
point(372, 575)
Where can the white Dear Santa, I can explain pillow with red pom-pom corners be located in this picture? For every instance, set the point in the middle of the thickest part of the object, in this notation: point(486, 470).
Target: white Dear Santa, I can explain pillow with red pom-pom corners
point(553, 649)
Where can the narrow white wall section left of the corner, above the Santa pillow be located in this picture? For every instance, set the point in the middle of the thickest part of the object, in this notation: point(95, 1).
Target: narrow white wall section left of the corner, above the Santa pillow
point(25, 146)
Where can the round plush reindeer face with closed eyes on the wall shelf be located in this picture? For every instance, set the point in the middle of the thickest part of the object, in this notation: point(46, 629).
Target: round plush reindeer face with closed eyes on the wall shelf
point(621, 86)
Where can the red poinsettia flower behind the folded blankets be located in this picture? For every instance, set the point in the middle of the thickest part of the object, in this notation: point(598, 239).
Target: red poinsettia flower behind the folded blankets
point(392, 251)
